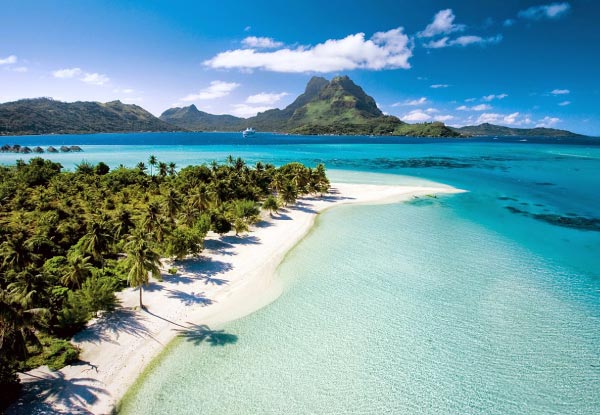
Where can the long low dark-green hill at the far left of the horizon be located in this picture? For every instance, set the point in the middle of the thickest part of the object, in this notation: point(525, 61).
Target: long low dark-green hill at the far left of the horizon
point(47, 116)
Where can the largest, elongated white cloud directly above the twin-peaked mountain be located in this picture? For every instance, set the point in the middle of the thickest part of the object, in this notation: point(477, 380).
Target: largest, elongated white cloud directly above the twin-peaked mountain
point(384, 50)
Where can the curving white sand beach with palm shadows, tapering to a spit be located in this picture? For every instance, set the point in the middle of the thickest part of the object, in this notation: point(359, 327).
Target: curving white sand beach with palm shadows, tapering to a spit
point(233, 277)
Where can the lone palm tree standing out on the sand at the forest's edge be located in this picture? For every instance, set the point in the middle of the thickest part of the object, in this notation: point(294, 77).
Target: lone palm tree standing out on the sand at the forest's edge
point(142, 261)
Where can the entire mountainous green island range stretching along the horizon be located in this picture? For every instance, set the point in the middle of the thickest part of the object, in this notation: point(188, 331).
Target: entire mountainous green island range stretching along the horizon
point(336, 107)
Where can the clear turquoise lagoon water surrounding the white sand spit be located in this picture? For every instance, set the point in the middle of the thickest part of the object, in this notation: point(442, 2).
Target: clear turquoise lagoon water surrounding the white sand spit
point(485, 302)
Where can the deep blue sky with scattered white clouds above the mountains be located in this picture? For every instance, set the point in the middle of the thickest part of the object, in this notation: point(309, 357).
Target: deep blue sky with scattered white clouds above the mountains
point(509, 62)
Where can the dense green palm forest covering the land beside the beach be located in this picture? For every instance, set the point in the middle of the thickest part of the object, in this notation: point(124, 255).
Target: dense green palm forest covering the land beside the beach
point(70, 239)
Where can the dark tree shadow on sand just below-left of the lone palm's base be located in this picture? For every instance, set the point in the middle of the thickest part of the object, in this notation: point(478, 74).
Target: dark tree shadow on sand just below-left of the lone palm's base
point(111, 325)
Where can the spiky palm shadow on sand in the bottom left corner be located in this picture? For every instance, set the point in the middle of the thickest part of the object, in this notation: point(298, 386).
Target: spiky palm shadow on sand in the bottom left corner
point(41, 394)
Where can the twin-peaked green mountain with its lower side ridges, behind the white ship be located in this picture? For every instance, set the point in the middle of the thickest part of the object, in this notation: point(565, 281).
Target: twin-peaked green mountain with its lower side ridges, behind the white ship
point(338, 106)
